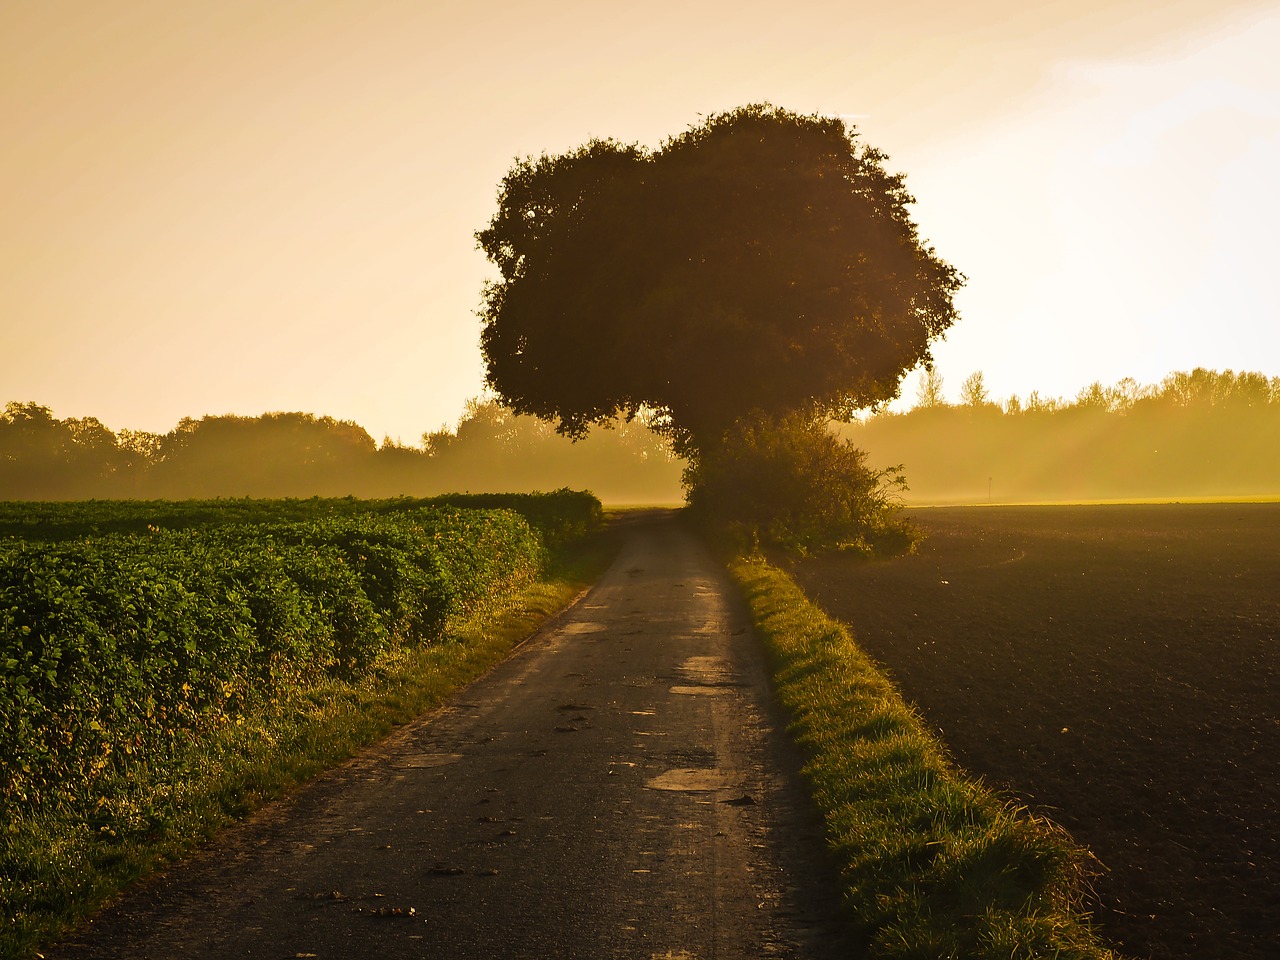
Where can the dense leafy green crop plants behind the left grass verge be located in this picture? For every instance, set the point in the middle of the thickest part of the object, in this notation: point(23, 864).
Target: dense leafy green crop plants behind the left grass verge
point(124, 644)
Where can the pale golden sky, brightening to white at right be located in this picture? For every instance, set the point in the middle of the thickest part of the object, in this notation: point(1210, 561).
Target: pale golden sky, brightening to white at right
point(240, 207)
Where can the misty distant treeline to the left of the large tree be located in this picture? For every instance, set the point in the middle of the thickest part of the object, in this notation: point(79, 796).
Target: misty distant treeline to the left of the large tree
point(301, 455)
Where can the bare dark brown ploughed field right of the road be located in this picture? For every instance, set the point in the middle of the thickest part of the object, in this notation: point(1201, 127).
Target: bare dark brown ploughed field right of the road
point(1117, 669)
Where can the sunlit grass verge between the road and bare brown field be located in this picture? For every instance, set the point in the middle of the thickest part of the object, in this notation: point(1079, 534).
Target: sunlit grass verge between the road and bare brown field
point(934, 863)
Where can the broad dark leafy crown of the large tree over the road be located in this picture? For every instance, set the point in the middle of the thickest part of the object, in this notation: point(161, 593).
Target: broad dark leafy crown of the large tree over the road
point(760, 262)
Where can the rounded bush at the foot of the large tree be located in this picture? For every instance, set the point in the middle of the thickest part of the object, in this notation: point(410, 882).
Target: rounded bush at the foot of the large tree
point(797, 487)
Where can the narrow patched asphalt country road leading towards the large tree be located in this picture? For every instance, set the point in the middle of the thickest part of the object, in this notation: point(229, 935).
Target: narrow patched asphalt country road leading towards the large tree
point(620, 788)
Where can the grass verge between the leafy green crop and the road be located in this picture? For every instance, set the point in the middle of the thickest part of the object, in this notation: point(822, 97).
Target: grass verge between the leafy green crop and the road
point(63, 865)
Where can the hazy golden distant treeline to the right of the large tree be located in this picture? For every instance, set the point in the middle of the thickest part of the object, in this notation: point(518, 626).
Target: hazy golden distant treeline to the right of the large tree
point(1196, 435)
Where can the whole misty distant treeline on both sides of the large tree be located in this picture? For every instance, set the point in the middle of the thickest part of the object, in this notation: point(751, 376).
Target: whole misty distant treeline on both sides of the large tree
point(1200, 435)
